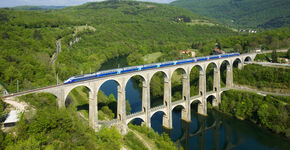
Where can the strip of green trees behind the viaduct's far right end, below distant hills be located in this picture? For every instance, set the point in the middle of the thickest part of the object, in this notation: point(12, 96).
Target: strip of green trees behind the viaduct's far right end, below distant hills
point(267, 40)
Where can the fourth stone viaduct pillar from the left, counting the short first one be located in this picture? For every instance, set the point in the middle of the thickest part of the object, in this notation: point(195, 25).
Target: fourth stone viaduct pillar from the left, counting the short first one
point(146, 102)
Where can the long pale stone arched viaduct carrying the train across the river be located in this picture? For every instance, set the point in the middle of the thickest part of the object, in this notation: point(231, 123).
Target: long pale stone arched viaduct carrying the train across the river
point(61, 91)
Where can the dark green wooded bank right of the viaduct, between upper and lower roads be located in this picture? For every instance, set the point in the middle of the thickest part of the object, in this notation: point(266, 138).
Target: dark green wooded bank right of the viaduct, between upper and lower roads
point(263, 77)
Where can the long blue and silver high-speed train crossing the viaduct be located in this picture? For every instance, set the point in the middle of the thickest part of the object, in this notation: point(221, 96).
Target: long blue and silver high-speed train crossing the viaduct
point(144, 67)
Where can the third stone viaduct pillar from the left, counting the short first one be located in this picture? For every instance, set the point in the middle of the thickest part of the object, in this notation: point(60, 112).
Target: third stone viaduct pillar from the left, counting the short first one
point(121, 109)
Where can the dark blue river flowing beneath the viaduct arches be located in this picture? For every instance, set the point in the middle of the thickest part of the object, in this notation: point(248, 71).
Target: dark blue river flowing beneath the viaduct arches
point(216, 131)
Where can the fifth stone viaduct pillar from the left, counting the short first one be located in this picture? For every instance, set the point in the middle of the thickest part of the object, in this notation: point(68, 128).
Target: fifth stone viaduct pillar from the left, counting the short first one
point(167, 118)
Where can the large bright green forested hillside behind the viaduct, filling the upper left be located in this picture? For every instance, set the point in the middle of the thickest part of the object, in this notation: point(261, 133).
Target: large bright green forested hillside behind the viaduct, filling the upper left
point(90, 34)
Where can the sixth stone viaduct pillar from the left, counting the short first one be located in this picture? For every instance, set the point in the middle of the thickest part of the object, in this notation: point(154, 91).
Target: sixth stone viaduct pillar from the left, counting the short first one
point(185, 114)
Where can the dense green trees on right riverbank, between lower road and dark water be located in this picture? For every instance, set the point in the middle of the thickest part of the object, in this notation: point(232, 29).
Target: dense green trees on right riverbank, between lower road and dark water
point(269, 111)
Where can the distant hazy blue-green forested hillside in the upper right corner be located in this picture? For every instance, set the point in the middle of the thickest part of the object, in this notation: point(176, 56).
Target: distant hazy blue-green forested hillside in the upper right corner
point(242, 13)
